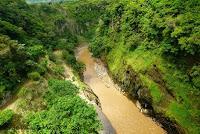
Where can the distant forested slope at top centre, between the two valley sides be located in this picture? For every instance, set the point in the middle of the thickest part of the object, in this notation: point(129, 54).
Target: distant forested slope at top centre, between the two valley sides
point(87, 13)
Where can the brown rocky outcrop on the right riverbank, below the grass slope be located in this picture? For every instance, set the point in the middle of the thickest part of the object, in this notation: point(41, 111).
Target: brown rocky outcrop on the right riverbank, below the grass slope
point(132, 85)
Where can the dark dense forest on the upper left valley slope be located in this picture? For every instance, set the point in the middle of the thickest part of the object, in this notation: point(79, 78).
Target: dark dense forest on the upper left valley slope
point(26, 36)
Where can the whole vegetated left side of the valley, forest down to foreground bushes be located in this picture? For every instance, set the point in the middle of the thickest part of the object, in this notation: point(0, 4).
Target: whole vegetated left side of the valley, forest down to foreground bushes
point(29, 36)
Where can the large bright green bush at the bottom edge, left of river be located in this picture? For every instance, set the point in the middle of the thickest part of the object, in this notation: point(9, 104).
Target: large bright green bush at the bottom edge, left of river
point(69, 115)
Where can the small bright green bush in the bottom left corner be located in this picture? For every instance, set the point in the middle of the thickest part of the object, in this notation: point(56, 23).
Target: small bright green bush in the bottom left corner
point(5, 117)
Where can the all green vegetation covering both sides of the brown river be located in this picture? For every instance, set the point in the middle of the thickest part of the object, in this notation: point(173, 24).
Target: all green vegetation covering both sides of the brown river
point(151, 49)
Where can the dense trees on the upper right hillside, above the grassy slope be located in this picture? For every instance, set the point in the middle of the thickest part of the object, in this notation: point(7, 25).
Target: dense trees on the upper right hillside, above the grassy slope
point(170, 25)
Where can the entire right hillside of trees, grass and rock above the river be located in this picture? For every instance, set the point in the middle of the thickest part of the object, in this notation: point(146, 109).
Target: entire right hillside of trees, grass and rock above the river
point(152, 49)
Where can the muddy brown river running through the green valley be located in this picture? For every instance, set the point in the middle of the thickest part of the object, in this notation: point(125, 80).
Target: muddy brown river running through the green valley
point(122, 113)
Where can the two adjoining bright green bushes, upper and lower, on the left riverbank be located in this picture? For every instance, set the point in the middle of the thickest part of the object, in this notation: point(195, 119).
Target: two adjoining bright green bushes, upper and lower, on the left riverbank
point(66, 112)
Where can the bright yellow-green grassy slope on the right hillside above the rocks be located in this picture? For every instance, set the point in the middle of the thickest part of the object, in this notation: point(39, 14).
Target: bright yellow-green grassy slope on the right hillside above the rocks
point(183, 107)
